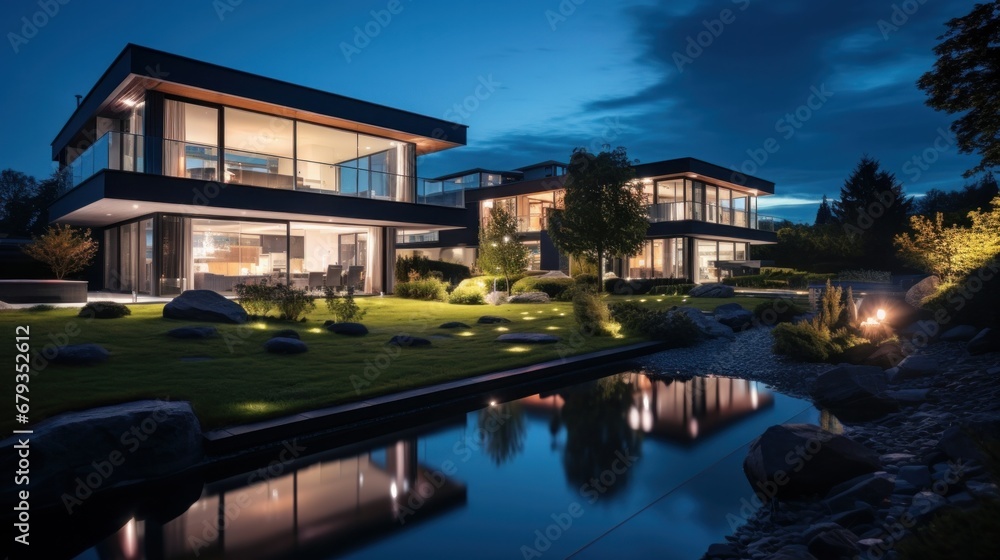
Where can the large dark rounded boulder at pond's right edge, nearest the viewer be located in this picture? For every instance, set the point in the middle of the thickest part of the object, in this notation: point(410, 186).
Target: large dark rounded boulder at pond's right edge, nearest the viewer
point(798, 460)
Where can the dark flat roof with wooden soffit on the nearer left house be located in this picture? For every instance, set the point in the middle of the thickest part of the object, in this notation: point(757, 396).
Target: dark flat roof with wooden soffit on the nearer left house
point(174, 74)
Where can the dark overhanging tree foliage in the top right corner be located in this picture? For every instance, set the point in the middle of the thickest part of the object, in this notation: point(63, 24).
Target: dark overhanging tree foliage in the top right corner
point(966, 80)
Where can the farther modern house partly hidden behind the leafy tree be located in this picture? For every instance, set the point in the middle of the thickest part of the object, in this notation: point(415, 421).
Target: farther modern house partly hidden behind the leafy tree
point(703, 219)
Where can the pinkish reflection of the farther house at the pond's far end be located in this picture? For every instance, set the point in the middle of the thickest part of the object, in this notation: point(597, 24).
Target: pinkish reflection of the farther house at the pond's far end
point(680, 410)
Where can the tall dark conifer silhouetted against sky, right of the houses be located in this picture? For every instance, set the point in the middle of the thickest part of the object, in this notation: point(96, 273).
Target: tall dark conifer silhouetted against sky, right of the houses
point(873, 207)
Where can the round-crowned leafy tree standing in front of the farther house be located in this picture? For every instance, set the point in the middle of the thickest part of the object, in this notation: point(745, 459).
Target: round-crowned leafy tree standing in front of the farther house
point(603, 211)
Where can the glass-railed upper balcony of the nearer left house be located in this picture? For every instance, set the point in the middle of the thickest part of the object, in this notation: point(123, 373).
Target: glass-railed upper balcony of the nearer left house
point(124, 152)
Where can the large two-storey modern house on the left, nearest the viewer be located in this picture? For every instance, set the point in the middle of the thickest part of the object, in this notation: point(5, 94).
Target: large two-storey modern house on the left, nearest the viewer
point(198, 176)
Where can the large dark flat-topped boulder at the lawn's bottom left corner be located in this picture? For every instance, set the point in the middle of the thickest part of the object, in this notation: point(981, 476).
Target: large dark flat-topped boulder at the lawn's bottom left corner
point(107, 447)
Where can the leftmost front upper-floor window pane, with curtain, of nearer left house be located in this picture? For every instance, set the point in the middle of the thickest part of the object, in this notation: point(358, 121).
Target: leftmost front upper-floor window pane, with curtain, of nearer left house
point(191, 140)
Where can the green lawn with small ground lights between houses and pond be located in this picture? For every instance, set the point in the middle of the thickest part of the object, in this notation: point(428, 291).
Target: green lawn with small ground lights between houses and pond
point(239, 382)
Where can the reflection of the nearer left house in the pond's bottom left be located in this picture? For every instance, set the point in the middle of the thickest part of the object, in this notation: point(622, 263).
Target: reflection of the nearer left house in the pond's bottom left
point(312, 511)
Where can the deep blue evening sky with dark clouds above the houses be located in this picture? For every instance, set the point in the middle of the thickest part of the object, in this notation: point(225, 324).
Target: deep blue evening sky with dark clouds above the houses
point(534, 78)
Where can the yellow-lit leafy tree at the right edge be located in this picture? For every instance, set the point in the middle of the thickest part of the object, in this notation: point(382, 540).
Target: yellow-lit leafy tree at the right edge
point(951, 251)
